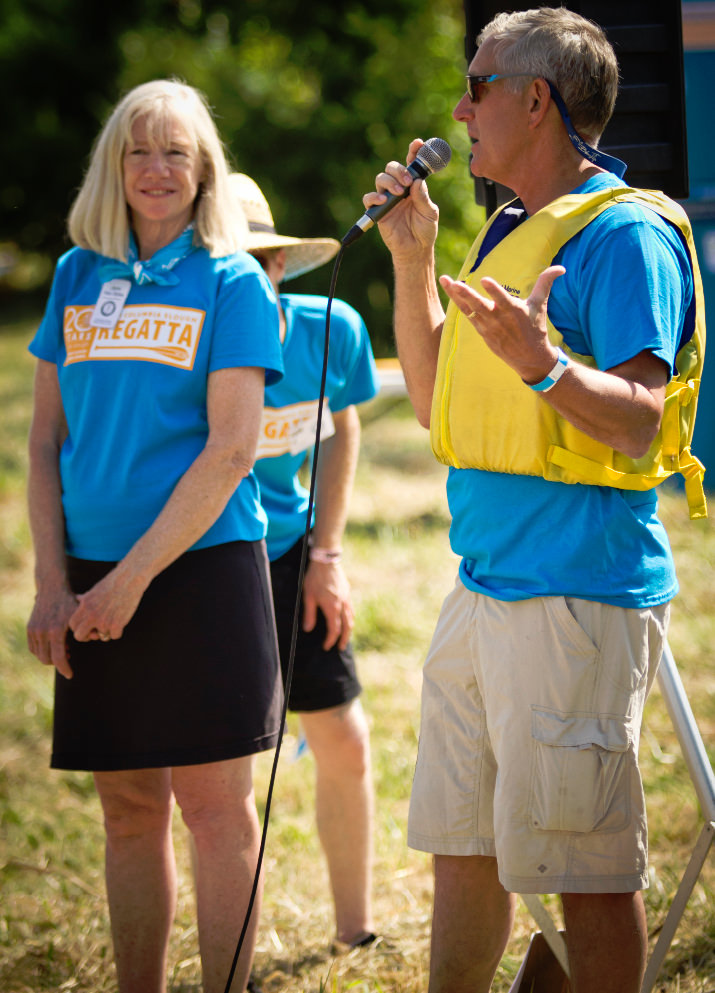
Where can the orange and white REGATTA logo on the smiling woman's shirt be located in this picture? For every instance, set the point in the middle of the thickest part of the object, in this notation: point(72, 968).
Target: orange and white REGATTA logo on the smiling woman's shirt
point(148, 332)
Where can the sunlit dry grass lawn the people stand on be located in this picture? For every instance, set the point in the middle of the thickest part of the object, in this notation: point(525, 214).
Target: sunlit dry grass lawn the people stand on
point(54, 932)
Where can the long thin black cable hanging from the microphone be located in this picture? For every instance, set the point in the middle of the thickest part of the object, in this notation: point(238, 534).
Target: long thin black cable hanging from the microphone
point(296, 619)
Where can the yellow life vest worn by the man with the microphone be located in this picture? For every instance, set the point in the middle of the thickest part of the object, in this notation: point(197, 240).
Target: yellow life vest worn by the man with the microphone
point(484, 416)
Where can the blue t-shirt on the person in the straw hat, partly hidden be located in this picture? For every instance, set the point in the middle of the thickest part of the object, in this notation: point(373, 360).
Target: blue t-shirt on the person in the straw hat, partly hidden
point(291, 406)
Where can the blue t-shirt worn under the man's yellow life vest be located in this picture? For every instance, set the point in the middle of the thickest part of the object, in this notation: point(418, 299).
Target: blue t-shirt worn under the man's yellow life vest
point(626, 289)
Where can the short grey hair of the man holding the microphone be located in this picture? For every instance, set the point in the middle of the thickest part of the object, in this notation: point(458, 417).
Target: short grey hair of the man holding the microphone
point(565, 49)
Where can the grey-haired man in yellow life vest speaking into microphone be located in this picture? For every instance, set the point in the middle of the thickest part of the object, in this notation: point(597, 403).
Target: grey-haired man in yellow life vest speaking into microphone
point(547, 389)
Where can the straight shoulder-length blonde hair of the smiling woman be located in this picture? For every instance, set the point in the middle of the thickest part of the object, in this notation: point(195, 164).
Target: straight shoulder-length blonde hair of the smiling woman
point(99, 217)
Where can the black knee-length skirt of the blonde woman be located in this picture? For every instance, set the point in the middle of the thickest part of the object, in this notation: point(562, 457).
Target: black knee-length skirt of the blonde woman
point(193, 679)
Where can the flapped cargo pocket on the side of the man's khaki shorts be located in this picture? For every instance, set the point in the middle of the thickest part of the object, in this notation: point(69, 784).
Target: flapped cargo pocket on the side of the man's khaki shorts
point(580, 772)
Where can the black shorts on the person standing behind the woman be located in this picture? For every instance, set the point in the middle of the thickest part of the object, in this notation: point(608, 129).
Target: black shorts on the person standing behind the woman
point(320, 679)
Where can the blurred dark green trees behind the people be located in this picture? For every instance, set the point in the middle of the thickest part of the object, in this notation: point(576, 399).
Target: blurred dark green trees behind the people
point(311, 99)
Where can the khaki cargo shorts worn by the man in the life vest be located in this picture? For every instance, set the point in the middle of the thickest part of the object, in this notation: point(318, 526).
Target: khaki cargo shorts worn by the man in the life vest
point(528, 751)
